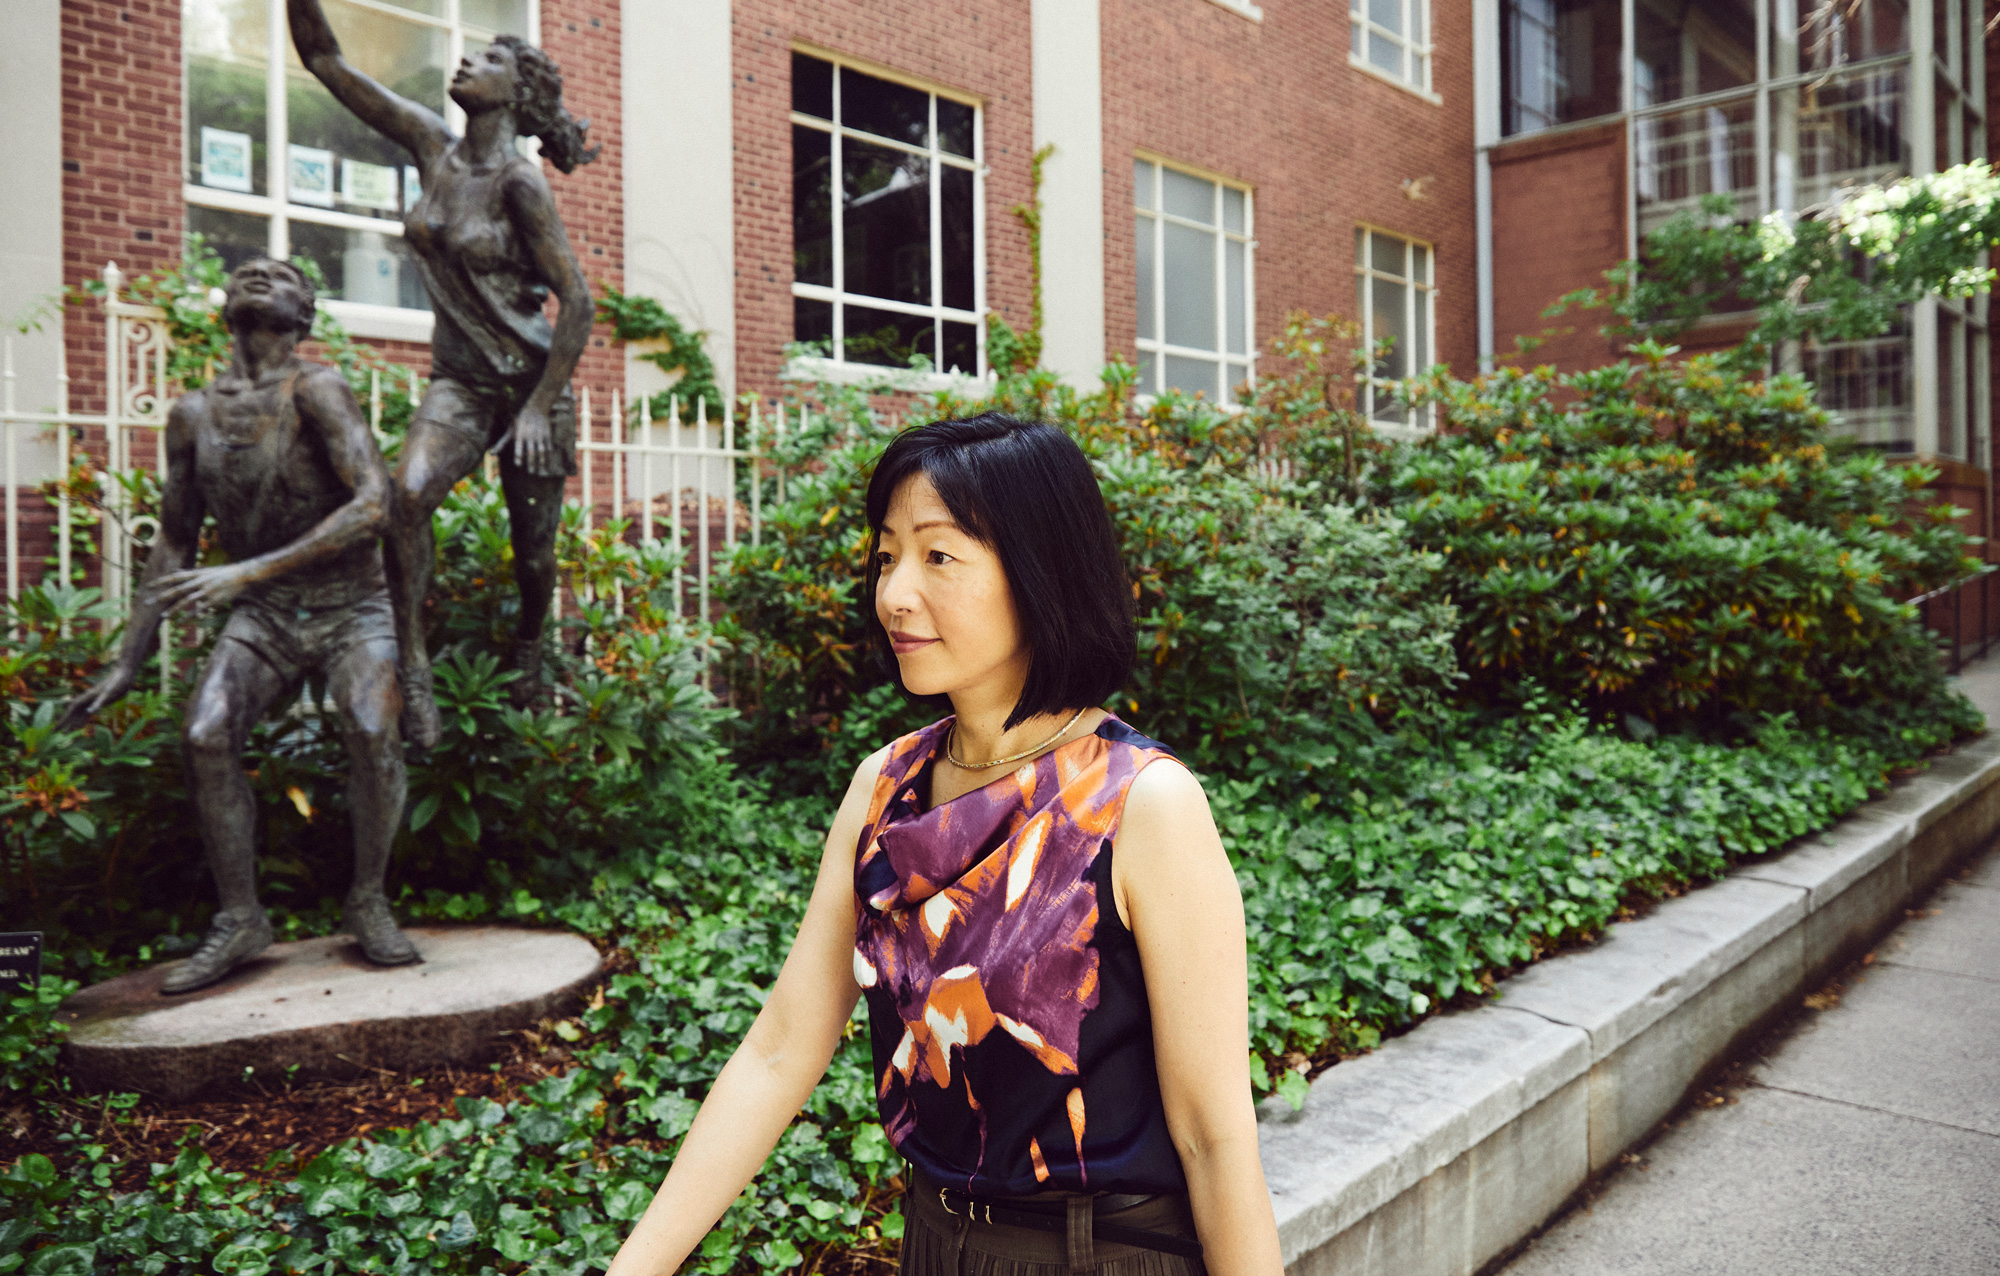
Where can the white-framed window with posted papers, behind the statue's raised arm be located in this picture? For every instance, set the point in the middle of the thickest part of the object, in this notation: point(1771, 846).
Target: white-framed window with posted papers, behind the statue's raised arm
point(277, 165)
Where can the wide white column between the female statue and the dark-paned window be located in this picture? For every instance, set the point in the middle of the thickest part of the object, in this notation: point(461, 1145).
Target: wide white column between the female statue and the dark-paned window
point(679, 175)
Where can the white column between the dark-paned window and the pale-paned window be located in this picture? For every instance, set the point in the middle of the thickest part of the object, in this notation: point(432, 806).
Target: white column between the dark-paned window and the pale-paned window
point(1069, 113)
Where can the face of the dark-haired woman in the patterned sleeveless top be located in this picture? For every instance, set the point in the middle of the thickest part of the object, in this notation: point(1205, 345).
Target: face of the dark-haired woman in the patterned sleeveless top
point(945, 601)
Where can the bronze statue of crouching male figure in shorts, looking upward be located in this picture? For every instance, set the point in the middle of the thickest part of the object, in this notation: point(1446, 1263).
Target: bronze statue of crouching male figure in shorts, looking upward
point(277, 451)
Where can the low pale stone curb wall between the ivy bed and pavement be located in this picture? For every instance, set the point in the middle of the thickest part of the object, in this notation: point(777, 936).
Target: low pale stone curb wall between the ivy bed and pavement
point(1451, 1145)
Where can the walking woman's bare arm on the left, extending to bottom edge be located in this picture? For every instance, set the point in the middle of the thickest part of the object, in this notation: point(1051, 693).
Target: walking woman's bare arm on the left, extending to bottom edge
point(773, 1071)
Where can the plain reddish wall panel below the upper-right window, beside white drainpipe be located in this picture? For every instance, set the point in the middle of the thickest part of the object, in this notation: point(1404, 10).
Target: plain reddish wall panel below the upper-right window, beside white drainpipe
point(1559, 225)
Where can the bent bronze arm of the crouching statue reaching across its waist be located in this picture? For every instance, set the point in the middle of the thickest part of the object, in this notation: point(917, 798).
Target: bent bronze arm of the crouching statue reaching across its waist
point(325, 405)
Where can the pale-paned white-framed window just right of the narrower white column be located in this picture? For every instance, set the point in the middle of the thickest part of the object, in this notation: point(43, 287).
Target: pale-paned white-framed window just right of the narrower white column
point(1195, 281)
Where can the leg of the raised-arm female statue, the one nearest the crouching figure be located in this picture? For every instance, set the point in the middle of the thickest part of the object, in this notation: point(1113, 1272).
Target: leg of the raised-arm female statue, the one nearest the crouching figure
point(441, 449)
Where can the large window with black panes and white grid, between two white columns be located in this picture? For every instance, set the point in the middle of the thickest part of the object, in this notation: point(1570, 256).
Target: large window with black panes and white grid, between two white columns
point(897, 267)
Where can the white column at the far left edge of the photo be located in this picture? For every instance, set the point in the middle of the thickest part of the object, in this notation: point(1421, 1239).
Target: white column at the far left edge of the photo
point(31, 211)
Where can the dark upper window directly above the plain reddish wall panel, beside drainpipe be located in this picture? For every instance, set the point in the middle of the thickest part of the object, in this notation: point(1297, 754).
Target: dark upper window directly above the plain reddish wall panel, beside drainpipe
point(1559, 61)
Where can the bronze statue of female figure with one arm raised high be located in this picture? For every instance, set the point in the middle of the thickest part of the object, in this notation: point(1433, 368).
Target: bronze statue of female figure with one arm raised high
point(491, 251)
